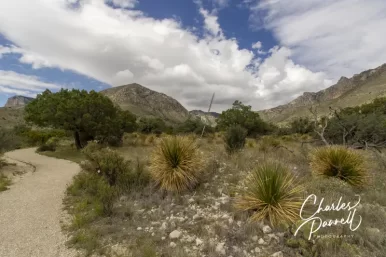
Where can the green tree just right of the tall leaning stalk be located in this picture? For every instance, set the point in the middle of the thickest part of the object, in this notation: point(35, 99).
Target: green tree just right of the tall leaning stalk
point(243, 115)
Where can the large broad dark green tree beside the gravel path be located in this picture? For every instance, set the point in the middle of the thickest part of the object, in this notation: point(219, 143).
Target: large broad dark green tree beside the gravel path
point(88, 115)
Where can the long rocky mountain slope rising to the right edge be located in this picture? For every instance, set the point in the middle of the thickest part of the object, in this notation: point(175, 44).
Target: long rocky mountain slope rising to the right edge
point(347, 92)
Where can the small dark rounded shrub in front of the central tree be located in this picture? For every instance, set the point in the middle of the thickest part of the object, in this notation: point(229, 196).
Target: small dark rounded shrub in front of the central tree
point(235, 138)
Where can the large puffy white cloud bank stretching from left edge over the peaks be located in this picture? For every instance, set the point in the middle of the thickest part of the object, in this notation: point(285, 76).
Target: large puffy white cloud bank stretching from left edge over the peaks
point(120, 46)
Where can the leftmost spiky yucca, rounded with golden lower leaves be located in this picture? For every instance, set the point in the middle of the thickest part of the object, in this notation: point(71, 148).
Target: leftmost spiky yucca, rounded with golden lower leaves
point(176, 163)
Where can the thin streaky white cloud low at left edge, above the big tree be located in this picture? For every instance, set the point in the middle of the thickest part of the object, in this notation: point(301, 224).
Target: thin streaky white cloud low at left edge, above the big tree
point(20, 84)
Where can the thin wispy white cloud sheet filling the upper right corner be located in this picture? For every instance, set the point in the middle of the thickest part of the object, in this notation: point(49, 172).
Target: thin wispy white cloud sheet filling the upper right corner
point(340, 37)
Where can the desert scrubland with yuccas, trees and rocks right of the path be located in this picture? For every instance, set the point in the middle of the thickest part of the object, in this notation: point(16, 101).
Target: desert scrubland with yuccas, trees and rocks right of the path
point(151, 188)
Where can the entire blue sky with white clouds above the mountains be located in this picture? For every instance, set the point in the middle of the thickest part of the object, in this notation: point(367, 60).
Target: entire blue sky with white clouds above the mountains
point(261, 52)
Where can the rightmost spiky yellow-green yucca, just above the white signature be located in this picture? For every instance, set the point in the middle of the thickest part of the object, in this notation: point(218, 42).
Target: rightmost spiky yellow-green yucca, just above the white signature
point(341, 162)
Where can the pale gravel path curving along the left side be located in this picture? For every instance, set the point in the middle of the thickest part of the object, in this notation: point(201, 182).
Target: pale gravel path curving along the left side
point(31, 210)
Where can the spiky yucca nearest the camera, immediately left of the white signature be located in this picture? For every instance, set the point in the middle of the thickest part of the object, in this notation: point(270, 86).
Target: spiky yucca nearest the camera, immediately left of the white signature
point(272, 193)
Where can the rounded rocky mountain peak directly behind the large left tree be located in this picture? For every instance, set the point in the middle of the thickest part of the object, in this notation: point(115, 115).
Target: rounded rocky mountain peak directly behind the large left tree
point(145, 102)
